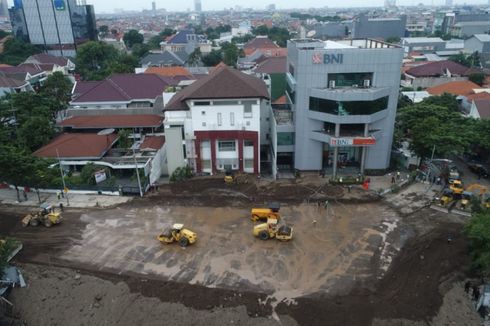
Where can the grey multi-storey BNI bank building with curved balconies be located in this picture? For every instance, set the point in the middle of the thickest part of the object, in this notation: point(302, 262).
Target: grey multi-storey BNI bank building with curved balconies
point(343, 96)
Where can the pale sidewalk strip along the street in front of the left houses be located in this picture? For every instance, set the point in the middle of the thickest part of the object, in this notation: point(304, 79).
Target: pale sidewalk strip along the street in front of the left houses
point(9, 197)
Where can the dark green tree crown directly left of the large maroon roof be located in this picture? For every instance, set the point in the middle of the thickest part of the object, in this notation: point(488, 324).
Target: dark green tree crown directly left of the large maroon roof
point(57, 87)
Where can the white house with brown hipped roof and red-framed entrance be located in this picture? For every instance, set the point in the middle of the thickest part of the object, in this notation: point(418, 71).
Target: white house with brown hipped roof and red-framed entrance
point(222, 119)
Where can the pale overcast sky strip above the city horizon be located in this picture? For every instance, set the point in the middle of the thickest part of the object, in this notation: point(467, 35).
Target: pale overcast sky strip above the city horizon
point(182, 5)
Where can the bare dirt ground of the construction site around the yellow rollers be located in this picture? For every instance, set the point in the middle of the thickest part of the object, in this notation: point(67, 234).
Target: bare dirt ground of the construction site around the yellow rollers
point(354, 261)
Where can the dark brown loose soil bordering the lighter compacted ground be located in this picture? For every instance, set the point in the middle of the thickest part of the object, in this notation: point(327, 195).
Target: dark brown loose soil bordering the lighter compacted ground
point(409, 290)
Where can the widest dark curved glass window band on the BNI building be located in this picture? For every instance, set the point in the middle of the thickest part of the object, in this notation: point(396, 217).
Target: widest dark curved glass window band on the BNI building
point(348, 107)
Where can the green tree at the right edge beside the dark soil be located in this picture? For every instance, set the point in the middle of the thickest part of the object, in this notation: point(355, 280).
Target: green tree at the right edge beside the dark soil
point(478, 232)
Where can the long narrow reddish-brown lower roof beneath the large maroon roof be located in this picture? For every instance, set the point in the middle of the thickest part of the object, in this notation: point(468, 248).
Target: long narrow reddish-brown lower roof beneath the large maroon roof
point(113, 121)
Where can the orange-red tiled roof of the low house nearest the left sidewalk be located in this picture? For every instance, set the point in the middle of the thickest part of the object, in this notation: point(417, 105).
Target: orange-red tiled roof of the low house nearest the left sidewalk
point(76, 145)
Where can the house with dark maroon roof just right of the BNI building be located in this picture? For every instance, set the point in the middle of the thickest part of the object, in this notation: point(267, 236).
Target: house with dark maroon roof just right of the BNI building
point(434, 73)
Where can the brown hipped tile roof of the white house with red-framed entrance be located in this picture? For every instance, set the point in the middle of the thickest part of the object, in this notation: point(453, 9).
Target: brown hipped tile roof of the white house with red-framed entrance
point(223, 82)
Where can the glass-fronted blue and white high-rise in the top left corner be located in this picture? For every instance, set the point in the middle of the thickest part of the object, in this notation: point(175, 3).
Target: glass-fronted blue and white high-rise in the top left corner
point(58, 25)
